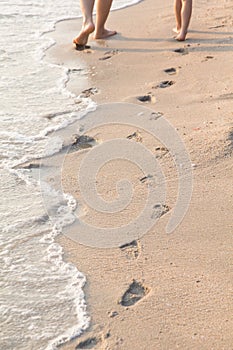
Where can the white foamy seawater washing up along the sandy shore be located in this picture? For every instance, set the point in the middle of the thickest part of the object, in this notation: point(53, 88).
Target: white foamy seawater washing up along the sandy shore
point(42, 303)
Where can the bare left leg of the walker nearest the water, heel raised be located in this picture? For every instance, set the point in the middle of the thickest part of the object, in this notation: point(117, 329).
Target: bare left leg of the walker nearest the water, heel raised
point(88, 25)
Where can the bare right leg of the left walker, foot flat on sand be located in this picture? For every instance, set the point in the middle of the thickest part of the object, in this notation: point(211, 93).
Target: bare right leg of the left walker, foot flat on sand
point(102, 12)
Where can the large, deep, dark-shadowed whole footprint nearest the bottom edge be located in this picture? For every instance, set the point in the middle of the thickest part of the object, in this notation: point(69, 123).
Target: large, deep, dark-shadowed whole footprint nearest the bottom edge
point(134, 293)
